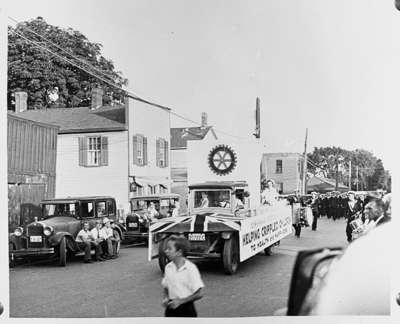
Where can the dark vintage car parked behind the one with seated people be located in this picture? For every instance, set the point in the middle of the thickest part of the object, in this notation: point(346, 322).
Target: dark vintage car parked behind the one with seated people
point(137, 222)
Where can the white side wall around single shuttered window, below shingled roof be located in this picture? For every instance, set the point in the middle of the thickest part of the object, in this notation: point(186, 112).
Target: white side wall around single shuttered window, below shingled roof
point(75, 180)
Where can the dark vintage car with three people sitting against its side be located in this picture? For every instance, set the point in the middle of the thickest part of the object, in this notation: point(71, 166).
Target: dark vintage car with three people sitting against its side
point(53, 233)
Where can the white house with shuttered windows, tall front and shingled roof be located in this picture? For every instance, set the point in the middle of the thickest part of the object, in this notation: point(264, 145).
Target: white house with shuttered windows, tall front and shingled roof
point(121, 151)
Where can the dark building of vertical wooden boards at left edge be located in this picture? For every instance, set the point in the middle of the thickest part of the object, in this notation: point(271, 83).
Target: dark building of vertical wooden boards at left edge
point(32, 150)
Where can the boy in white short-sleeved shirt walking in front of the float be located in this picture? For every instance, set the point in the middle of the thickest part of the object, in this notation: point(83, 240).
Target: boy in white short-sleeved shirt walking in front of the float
point(182, 282)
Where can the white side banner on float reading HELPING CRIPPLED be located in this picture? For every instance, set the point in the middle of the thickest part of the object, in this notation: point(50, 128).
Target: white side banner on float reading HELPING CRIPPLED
point(259, 232)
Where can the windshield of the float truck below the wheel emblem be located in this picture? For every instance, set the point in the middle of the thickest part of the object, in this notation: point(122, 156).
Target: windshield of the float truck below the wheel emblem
point(212, 198)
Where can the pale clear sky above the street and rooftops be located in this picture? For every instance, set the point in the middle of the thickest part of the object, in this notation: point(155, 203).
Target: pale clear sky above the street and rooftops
point(330, 66)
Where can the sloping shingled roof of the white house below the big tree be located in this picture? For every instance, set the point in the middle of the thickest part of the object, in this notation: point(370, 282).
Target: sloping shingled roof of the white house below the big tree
point(80, 119)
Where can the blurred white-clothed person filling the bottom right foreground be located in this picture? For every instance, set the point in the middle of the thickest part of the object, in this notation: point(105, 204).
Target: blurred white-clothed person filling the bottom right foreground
point(355, 285)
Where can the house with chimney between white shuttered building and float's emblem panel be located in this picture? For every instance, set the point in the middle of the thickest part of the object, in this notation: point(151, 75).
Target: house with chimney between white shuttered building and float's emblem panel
point(179, 138)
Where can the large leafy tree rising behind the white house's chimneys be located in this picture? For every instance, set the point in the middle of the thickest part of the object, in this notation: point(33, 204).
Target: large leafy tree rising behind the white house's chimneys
point(51, 81)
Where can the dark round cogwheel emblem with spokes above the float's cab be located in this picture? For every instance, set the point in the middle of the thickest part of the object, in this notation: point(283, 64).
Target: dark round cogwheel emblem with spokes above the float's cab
point(222, 160)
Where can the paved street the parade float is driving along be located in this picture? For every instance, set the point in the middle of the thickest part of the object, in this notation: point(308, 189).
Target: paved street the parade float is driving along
point(130, 286)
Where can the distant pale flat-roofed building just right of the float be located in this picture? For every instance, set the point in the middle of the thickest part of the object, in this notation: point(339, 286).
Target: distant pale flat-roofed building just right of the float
point(285, 169)
